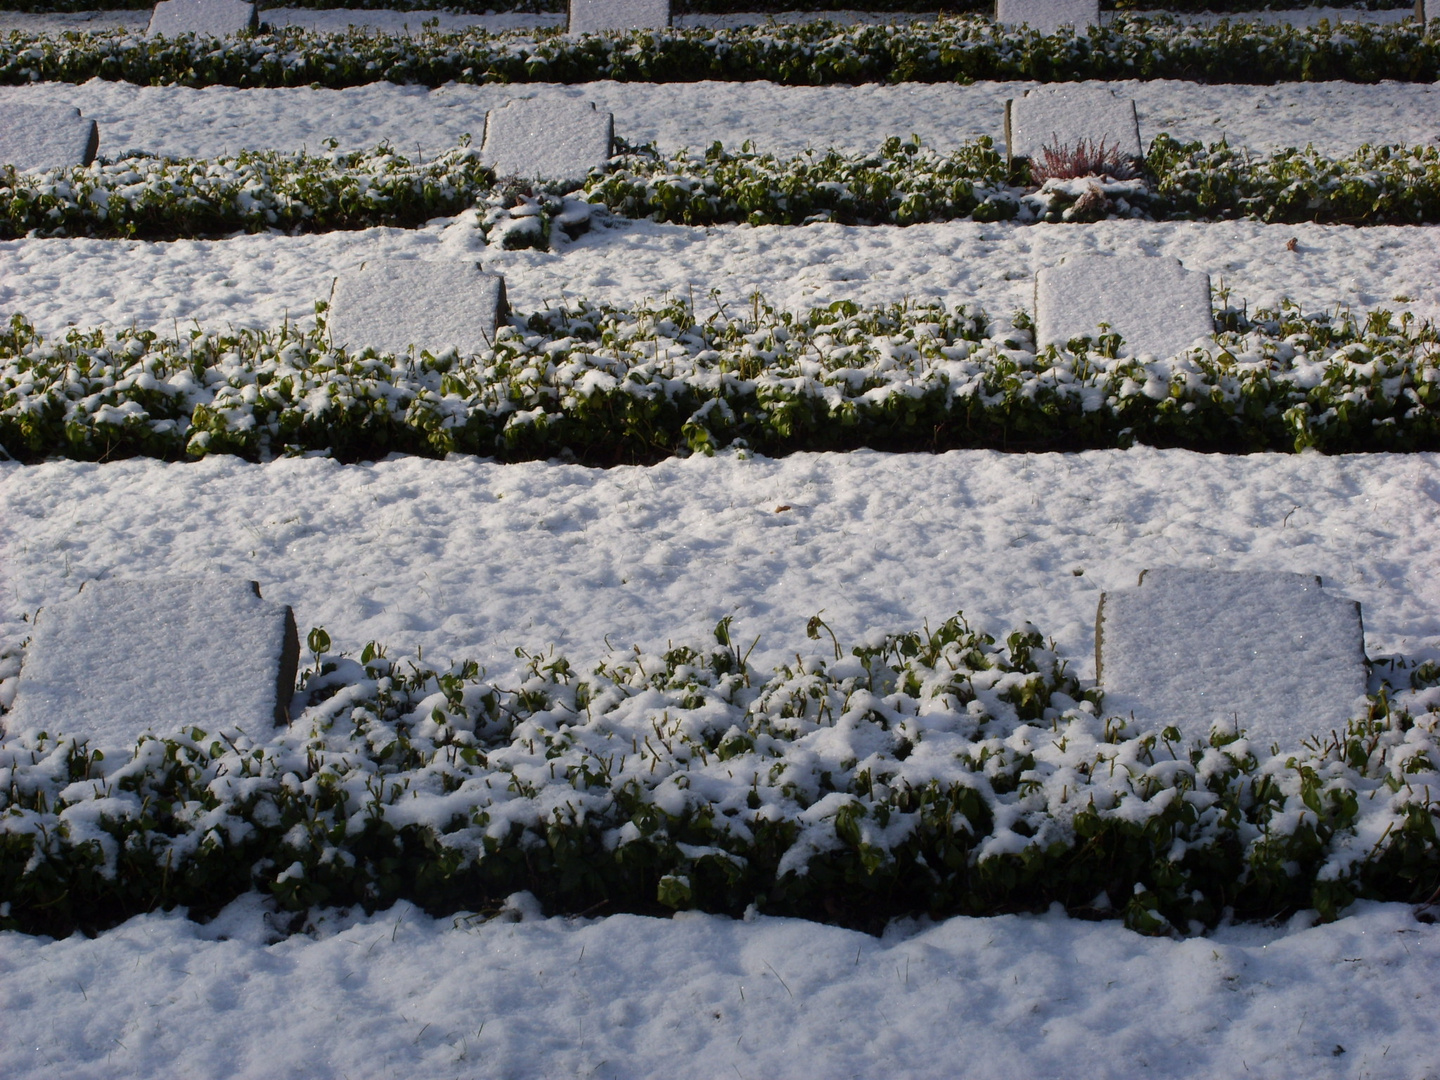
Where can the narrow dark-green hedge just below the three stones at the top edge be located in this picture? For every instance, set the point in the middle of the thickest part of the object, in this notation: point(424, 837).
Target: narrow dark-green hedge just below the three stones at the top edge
point(954, 50)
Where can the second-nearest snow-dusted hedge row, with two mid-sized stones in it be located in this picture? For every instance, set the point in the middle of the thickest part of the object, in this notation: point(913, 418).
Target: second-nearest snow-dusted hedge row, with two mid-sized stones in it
point(607, 385)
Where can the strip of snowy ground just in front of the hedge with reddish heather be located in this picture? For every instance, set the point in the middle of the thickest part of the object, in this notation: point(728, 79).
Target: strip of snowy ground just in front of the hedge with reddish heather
point(260, 282)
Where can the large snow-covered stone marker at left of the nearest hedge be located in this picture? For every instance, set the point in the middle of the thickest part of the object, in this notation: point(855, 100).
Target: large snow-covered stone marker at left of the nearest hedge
point(132, 656)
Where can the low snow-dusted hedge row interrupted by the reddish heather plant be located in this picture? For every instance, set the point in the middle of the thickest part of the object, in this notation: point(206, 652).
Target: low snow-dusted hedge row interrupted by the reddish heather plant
point(902, 184)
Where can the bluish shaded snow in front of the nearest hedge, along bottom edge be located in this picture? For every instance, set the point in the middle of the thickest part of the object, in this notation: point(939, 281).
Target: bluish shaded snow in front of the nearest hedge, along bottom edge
point(1019, 997)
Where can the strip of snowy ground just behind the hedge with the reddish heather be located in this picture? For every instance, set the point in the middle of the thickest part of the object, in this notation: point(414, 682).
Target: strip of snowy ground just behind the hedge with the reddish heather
point(179, 122)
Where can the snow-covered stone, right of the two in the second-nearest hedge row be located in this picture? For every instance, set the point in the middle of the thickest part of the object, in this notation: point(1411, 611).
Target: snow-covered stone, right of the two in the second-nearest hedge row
point(1151, 302)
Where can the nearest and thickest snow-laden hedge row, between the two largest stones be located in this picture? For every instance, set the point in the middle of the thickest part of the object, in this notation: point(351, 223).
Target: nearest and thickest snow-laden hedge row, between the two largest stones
point(932, 771)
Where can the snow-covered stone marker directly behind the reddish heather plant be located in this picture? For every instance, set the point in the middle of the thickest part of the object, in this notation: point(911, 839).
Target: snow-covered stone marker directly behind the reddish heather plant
point(1068, 116)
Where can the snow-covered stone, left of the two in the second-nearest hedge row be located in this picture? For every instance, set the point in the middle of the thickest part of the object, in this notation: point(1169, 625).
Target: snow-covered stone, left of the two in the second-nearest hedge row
point(436, 306)
